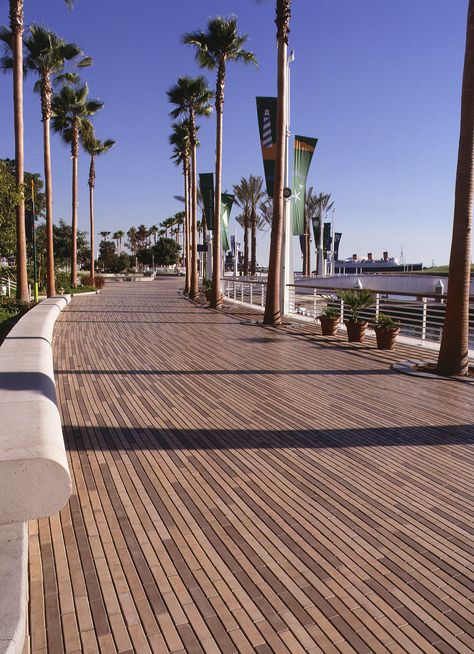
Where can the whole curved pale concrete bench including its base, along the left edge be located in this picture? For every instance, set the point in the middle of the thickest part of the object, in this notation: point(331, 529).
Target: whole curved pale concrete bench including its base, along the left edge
point(34, 473)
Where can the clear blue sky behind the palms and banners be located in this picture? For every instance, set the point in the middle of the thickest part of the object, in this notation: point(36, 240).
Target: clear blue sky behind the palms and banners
point(377, 81)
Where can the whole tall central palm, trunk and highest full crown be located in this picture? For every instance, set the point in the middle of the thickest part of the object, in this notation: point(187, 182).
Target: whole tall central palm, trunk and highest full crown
point(220, 44)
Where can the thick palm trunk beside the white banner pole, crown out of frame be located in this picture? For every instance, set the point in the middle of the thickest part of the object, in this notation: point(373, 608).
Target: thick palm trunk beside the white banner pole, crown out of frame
point(272, 315)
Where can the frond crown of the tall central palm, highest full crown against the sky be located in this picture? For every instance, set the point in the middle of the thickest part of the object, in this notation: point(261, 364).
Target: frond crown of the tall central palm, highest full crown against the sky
point(220, 43)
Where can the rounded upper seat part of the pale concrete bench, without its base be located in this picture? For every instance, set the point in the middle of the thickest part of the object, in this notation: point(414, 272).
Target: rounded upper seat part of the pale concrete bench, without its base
point(34, 473)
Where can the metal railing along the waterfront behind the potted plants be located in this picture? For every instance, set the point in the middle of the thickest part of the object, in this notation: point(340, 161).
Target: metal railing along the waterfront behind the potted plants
point(420, 317)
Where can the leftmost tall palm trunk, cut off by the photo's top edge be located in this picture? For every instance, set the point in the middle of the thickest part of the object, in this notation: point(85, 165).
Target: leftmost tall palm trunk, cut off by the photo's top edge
point(16, 23)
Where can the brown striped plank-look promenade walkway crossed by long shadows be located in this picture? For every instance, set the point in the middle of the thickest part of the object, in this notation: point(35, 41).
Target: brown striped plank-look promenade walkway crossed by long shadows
point(238, 489)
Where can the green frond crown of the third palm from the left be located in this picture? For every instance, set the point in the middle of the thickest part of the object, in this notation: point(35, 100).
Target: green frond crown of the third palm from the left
point(71, 106)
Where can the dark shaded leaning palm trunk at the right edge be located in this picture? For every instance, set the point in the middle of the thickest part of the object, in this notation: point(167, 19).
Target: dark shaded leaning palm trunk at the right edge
point(453, 354)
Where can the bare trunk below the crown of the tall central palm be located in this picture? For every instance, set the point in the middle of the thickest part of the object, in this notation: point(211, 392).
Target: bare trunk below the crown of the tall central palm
point(216, 297)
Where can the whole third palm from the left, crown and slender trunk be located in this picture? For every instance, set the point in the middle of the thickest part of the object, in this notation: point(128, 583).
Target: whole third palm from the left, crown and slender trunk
point(71, 110)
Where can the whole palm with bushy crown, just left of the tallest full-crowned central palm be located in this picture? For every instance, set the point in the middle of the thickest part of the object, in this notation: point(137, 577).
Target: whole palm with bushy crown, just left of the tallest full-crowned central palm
point(192, 98)
